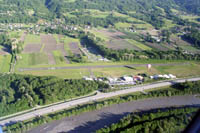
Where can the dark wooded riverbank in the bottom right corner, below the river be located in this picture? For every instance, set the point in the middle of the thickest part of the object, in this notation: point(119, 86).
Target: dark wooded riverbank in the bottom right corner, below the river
point(158, 121)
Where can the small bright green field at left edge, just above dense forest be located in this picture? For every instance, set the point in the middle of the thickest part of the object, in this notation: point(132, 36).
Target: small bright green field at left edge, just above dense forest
point(5, 63)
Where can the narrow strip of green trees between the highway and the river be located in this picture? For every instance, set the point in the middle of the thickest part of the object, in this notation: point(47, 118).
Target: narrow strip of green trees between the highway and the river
point(179, 89)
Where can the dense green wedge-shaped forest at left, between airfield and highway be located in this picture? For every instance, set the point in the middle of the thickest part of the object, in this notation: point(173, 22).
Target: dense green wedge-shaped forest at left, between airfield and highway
point(20, 92)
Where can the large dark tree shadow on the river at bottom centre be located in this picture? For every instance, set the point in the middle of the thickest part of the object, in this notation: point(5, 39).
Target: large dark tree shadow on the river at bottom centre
point(106, 119)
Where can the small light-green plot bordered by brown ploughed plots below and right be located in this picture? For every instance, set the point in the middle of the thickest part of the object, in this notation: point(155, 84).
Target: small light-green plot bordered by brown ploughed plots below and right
point(32, 39)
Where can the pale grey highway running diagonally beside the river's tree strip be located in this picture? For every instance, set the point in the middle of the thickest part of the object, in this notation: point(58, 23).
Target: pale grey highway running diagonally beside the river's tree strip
point(88, 99)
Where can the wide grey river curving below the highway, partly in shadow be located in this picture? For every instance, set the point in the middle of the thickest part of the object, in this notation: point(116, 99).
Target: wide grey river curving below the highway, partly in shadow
point(91, 121)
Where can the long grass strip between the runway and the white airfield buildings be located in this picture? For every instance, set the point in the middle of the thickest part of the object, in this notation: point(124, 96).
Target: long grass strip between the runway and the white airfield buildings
point(186, 70)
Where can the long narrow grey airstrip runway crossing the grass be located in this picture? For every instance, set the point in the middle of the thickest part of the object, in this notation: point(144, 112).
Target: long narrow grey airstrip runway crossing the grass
point(98, 66)
